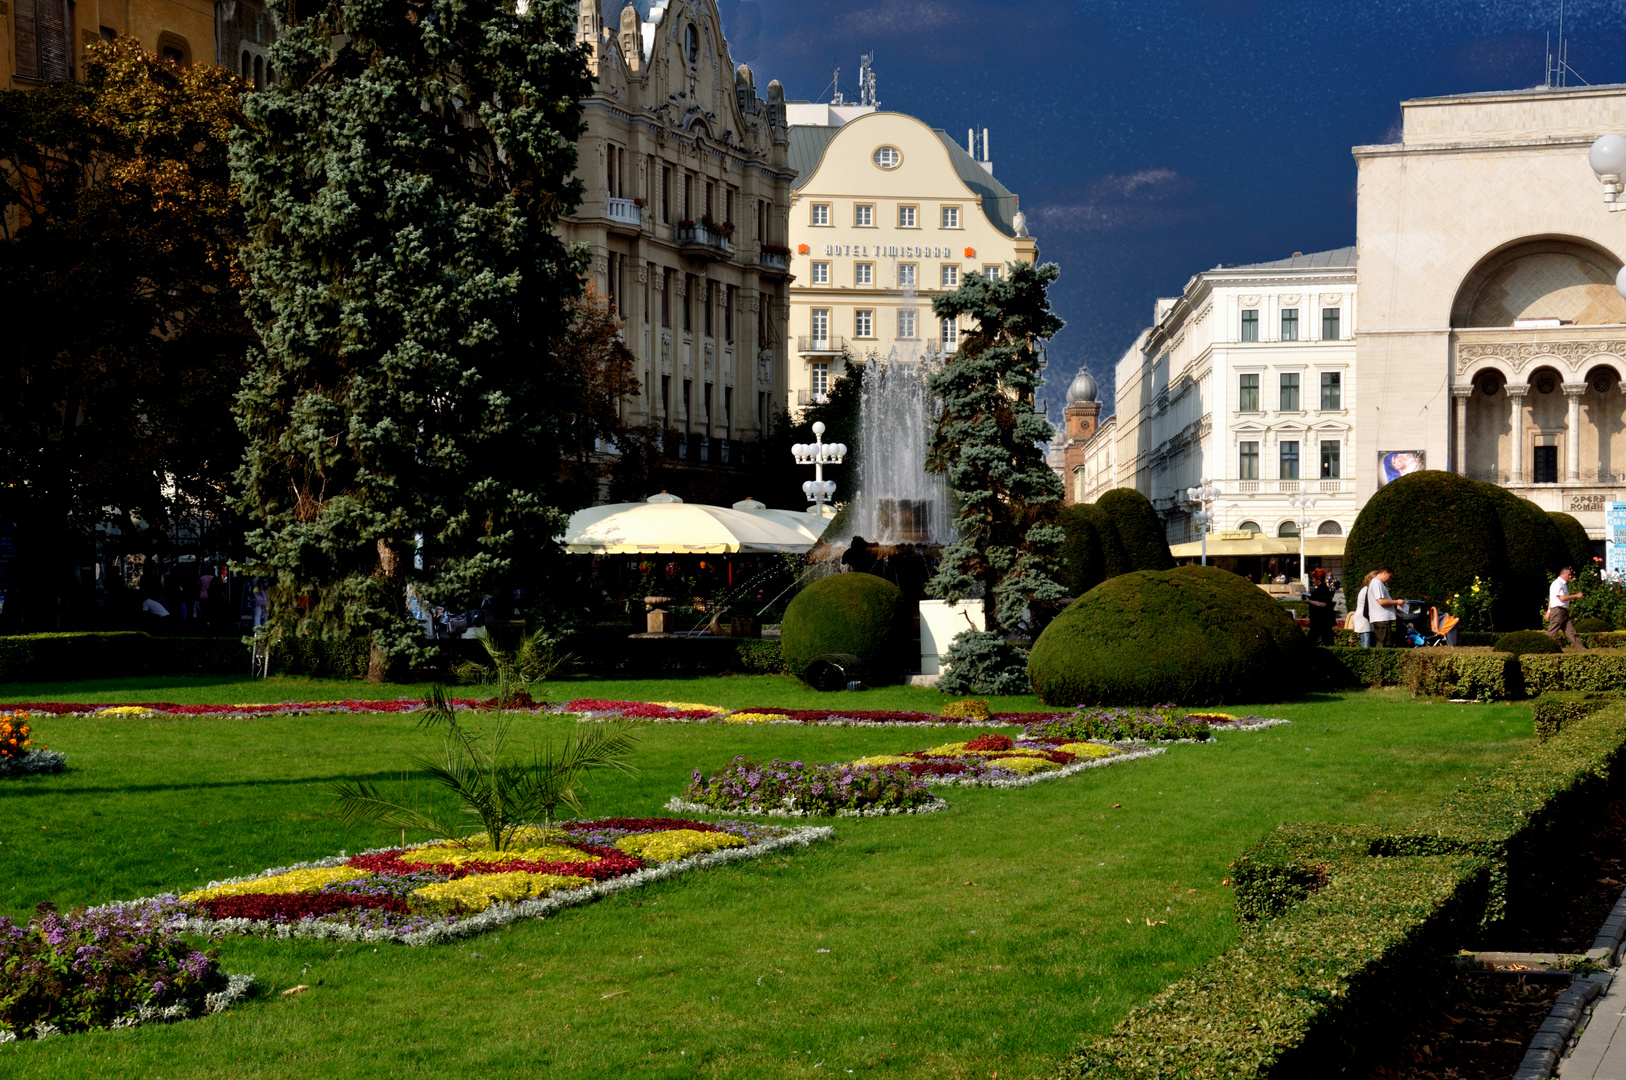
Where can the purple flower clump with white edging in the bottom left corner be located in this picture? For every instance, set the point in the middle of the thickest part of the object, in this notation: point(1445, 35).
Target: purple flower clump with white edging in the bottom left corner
point(105, 970)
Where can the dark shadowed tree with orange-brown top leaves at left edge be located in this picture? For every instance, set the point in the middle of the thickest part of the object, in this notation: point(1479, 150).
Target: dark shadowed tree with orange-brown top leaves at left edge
point(126, 336)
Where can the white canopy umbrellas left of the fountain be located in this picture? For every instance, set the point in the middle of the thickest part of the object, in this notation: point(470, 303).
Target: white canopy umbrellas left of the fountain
point(666, 525)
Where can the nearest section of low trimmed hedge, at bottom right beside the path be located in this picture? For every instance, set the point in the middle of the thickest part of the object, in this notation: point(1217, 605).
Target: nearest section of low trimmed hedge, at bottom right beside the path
point(1336, 980)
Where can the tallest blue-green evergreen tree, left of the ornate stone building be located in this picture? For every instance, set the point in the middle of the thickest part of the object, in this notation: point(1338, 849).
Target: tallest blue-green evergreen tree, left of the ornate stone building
point(404, 419)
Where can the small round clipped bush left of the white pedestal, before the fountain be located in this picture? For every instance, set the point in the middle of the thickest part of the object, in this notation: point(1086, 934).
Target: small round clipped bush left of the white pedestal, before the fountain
point(858, 614)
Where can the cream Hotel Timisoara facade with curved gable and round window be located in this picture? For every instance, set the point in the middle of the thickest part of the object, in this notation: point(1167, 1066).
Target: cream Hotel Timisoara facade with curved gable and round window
point(887, 214)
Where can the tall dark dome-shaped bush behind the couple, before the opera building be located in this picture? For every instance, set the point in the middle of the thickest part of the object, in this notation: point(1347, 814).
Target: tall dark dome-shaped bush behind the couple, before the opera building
point(1438, 531)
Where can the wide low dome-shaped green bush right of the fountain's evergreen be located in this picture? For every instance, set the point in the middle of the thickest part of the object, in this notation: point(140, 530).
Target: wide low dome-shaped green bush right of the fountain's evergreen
point(1194, 635)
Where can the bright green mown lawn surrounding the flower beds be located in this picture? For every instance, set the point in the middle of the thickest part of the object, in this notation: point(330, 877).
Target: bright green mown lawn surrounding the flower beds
point(988, 938)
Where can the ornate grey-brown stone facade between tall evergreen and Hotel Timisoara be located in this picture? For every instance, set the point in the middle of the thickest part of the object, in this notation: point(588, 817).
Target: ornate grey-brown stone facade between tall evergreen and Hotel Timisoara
point(685, 214)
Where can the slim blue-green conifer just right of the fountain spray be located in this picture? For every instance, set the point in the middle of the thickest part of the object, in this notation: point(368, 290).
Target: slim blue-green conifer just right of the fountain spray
point(989, 446)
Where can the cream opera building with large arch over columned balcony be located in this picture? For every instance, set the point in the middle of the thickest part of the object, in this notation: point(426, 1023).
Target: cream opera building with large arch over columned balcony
point(1500, 344)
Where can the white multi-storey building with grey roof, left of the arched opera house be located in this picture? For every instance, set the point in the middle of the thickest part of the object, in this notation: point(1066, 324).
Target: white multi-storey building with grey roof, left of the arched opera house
point(1246, 380)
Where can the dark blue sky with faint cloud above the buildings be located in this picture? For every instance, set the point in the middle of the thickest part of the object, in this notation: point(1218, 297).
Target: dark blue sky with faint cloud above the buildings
point(1155, 139)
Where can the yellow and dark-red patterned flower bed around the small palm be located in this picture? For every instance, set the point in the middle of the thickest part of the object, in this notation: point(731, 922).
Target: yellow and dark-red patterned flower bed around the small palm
point(445, 891)
